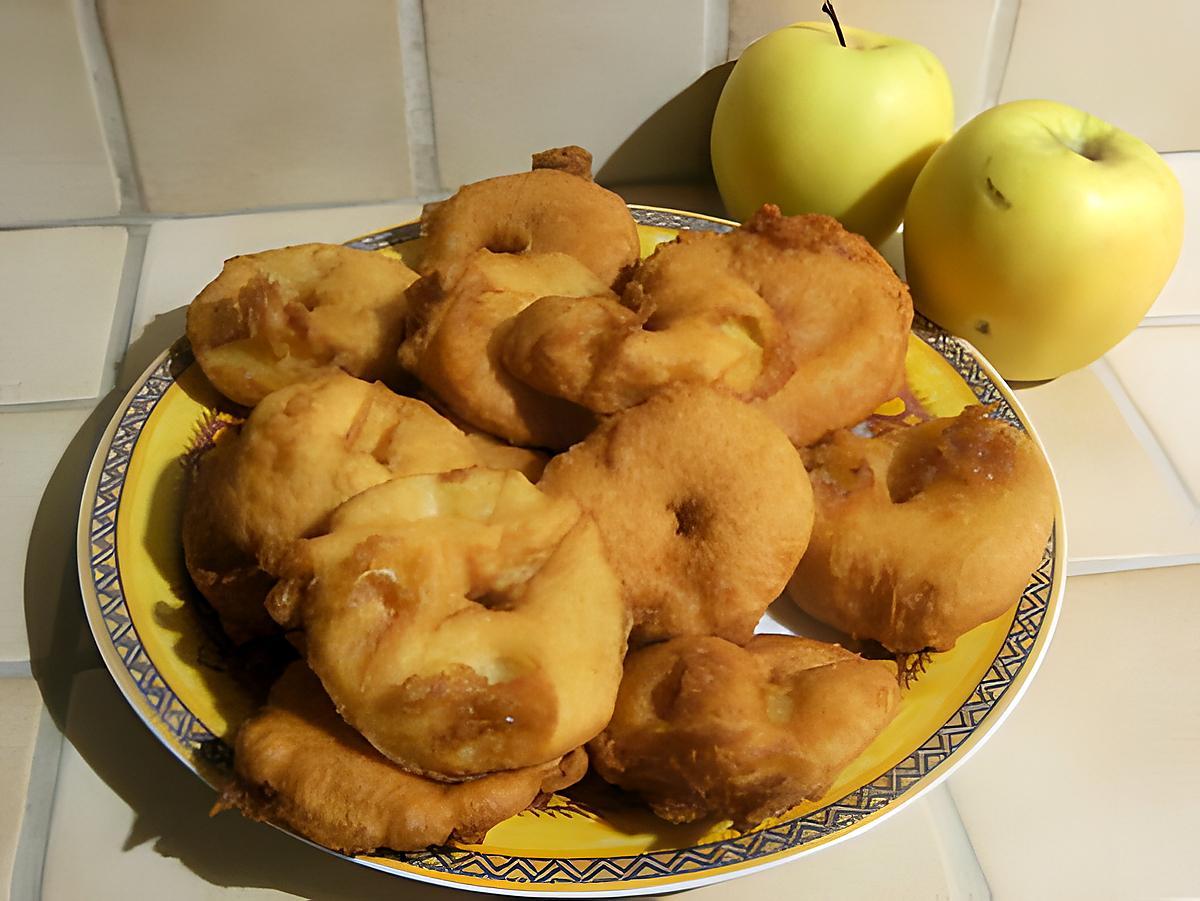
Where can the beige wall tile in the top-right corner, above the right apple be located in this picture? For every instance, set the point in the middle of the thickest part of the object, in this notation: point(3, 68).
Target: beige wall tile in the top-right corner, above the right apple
point(1130, 65)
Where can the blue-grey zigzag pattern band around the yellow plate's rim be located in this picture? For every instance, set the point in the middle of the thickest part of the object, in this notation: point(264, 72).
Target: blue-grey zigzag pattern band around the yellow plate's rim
point(891, 788)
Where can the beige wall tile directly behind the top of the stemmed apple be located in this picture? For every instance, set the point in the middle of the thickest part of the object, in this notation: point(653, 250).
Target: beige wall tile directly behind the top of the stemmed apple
point(958, 33)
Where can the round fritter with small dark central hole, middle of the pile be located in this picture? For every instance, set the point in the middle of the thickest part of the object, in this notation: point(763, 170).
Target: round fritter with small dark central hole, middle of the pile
point(704, 507)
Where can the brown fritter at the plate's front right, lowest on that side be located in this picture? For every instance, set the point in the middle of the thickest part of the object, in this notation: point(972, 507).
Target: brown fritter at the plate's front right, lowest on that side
point(705, 728)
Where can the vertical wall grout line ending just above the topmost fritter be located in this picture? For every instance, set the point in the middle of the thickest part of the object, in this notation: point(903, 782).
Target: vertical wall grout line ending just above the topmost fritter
point(421, 131)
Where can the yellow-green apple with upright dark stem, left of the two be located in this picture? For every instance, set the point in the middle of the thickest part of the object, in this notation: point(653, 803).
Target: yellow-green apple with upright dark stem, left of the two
point(814, 127)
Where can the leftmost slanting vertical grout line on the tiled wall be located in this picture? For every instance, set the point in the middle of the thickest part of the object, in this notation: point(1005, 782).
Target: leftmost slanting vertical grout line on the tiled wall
point(109, 105)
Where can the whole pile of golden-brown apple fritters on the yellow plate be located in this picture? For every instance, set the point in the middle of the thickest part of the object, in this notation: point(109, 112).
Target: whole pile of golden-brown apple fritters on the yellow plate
point(465, 618)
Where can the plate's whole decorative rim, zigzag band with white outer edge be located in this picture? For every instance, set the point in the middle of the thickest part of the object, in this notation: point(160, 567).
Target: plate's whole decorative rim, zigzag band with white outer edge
point(951, 746)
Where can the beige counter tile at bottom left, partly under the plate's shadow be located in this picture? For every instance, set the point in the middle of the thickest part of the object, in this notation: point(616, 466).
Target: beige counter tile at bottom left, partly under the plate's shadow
point(128, 814)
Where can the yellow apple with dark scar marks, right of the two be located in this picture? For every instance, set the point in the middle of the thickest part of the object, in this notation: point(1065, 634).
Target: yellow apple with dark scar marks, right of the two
point(1042, 235)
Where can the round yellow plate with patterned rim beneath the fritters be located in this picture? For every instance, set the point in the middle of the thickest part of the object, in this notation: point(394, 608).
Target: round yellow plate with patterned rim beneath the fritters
point(148, 628)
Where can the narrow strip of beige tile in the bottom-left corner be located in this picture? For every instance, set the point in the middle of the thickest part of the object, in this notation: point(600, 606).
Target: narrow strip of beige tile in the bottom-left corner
point(21, 710)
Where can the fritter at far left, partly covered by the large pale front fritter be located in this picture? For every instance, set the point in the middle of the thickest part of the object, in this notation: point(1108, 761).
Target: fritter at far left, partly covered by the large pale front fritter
point(304, 450)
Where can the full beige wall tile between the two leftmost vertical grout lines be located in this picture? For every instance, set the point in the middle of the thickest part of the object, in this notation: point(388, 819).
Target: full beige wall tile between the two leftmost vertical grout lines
point(236, 106)
